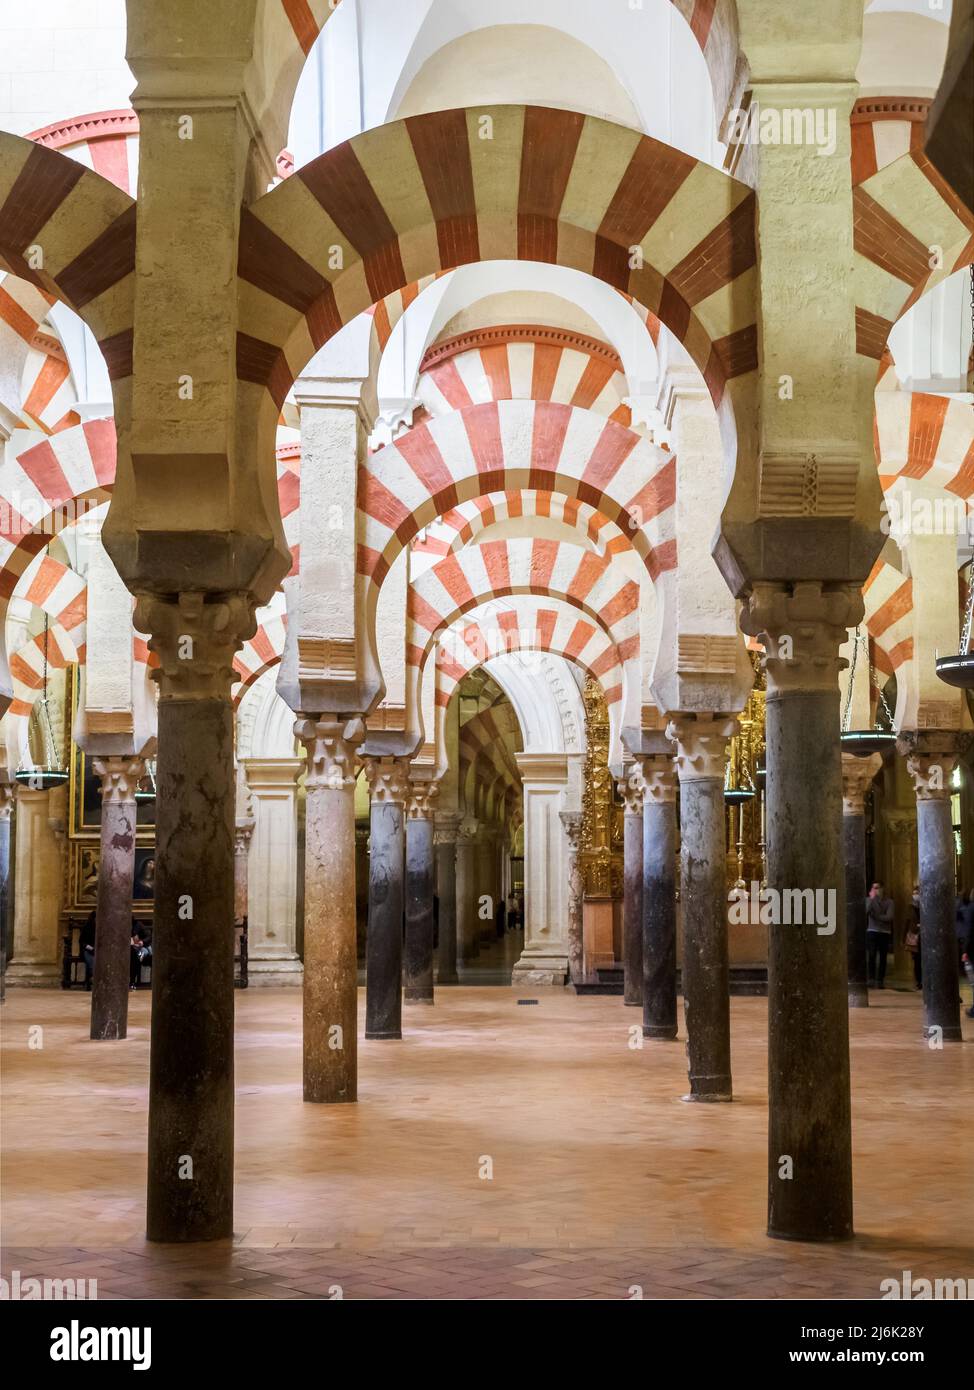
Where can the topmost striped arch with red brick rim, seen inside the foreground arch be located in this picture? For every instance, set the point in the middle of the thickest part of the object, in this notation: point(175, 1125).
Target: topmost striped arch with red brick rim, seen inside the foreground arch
point(525, 362)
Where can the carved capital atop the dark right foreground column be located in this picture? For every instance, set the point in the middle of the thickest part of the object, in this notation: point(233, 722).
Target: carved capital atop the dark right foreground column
point(802, 628)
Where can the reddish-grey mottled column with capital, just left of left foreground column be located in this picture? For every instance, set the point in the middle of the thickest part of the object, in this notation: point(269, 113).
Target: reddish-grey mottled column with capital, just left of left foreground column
point(113, 931)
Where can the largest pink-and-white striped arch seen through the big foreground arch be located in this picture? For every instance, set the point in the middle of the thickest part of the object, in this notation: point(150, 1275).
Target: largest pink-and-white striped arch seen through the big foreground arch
point(515, 445)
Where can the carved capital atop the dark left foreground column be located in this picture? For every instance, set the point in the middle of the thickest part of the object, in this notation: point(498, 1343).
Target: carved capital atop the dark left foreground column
point(197, 640)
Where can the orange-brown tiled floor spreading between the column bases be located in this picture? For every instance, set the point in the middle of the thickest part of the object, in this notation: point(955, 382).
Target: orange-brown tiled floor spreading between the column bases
point(601, 1179)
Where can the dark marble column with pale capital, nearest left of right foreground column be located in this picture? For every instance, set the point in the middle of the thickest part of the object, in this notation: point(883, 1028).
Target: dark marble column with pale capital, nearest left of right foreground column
point(701, 762)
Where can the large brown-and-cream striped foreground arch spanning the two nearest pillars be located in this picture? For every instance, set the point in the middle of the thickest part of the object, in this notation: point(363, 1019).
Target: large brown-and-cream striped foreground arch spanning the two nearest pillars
point(404, 201)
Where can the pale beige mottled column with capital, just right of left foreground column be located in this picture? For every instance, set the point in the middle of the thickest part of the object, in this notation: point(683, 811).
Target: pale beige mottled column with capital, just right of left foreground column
point(331, 965)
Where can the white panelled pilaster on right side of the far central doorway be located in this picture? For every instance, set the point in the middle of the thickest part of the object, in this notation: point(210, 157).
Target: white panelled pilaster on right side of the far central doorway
point(545, 957)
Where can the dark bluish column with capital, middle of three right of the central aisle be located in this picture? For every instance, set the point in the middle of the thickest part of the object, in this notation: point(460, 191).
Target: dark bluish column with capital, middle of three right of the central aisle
point(659, 899)
